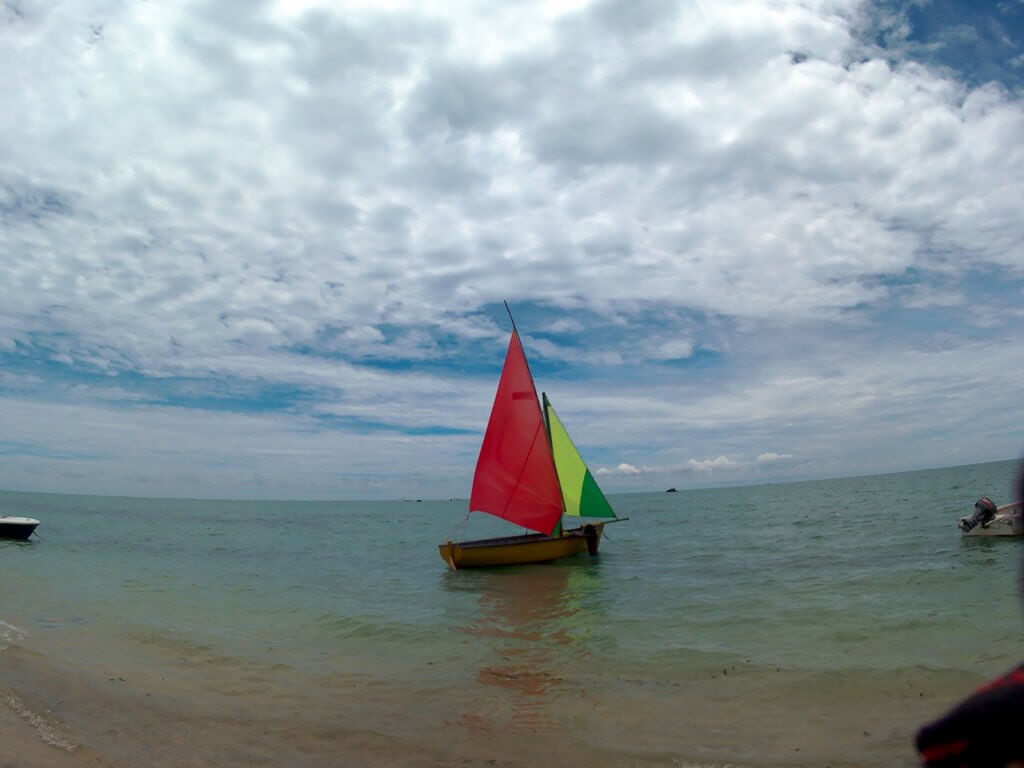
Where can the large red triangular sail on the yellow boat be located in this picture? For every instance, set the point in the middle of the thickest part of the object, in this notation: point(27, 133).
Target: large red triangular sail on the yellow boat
point(516, 474)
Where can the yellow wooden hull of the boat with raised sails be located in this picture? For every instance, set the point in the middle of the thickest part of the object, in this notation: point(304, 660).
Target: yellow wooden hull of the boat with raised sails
point(522, 550)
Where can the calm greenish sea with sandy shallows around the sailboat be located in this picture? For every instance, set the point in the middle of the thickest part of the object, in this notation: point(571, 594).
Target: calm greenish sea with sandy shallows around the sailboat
point(806, 624)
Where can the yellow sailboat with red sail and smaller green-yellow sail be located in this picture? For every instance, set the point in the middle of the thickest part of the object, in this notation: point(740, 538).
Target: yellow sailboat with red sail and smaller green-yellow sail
point(530, 474)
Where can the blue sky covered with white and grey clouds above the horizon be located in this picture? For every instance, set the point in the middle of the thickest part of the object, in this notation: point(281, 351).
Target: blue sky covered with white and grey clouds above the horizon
point(261, 250)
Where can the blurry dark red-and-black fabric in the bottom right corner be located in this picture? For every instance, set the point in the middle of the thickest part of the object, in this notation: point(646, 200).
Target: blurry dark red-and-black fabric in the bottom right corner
point(986, 731)
